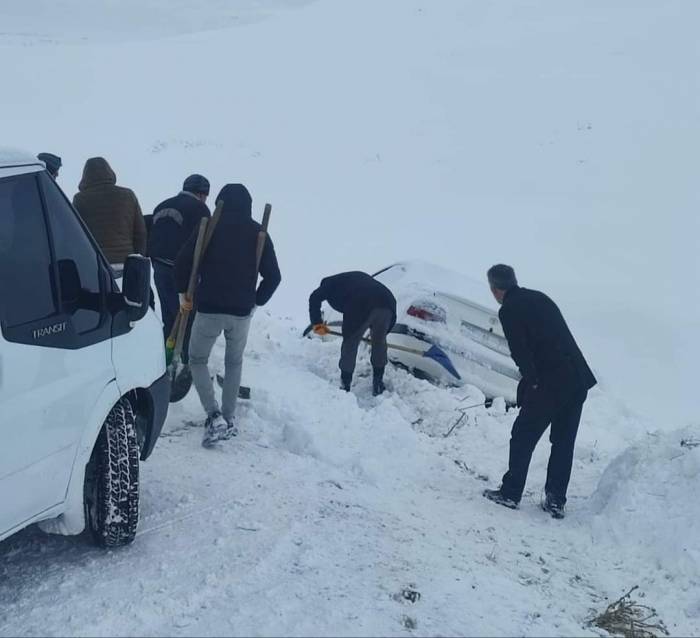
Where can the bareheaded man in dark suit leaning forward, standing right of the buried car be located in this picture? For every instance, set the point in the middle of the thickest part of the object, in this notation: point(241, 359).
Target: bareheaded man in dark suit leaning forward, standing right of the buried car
point(554, 385)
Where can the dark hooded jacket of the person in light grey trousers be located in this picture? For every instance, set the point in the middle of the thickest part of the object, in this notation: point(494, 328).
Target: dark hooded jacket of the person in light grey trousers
point(227, 274)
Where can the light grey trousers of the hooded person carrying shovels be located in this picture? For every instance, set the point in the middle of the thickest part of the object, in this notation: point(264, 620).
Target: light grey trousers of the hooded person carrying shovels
point(205, 331)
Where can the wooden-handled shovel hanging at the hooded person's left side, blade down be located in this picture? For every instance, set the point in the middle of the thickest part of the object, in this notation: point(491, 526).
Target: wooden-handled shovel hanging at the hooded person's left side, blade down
point(180, 376)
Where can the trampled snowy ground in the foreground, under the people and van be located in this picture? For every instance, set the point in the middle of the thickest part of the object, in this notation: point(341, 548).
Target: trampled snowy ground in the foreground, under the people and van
point(328, 506)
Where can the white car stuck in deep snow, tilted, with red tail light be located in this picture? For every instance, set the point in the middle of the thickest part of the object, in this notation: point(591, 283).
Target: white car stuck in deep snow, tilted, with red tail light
point(447, 329)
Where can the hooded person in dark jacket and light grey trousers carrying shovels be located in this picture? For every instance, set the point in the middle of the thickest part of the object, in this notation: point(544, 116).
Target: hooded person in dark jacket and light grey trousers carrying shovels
point(227, 294)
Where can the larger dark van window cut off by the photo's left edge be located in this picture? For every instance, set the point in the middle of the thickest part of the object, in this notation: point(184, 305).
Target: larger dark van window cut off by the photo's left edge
point(26, 277)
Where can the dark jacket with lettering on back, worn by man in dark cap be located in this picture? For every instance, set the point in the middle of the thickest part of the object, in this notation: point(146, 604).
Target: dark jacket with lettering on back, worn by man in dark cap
point(173, 223)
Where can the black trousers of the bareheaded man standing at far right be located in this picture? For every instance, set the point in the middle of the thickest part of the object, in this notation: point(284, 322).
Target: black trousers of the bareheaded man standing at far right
point(539, 411)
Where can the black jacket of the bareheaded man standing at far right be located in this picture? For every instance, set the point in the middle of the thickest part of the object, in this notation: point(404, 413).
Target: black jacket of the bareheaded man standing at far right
point(541, 343)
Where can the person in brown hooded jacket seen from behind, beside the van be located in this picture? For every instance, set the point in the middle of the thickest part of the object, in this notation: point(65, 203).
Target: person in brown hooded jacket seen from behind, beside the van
point(111, 212)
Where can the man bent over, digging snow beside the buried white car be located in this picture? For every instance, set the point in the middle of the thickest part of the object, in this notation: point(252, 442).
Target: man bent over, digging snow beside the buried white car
point(366, 304)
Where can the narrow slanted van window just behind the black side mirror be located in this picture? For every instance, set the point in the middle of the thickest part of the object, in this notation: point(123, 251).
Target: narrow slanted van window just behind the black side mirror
point(77, 261)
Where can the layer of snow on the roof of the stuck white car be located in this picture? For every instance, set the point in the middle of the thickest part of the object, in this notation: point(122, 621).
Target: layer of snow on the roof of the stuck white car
point(419, 275)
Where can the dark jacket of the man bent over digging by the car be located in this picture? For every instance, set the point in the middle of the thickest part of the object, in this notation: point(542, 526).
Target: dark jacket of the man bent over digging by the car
point(355, 294)
